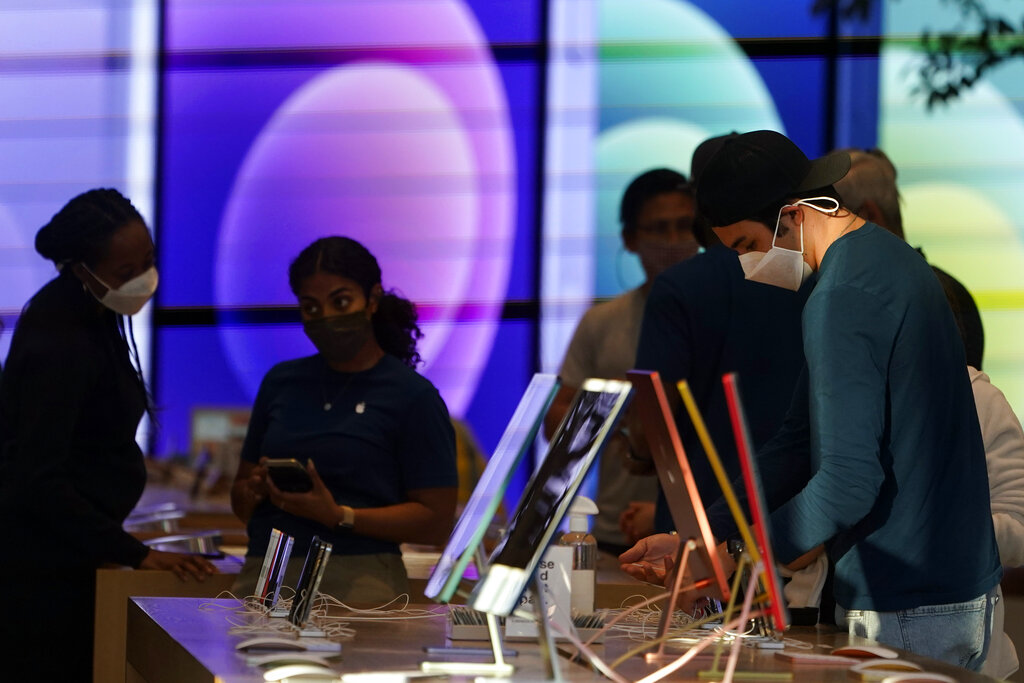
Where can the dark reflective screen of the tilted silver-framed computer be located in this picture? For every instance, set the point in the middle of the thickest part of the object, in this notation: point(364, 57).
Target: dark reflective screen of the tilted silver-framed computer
point(571, 454)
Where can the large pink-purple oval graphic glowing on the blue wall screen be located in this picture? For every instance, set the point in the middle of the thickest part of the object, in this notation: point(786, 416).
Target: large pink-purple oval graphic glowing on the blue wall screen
point(408, 151)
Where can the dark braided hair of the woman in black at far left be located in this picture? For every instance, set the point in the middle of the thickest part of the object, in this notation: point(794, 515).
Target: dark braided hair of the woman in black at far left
point(81, 232)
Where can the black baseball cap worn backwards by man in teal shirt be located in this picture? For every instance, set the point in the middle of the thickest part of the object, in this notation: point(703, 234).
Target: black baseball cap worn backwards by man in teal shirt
point(750, 173)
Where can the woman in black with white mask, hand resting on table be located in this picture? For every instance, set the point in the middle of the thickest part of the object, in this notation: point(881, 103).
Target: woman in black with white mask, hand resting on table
point(71, 401)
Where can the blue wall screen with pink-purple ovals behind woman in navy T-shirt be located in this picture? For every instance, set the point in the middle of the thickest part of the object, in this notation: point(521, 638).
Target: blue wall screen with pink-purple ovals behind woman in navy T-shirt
point(392, 122)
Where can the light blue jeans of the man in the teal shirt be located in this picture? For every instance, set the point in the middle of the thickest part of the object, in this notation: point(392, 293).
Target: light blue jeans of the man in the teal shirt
point(958, 633)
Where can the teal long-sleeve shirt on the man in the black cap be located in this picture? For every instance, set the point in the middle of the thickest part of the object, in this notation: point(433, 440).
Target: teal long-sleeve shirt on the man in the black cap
point(881, 457)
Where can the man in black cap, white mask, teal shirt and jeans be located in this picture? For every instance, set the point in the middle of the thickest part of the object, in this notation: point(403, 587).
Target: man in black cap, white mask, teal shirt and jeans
point(881, 457)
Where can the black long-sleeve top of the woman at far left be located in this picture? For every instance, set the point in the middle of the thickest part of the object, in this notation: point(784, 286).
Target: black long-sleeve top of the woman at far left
point(70, 405)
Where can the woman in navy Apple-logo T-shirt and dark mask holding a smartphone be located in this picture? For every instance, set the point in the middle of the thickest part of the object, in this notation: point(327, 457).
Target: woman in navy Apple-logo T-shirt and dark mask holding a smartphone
point(374, 437)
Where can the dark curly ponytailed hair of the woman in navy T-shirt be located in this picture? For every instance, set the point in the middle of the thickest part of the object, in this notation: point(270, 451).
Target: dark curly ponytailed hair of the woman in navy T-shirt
point(395, 322)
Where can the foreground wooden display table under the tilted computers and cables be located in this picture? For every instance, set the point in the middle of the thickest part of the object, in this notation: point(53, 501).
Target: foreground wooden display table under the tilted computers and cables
point(174, 641)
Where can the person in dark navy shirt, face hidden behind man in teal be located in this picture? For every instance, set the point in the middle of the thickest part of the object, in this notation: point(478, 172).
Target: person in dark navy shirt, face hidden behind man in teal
point(703, 320)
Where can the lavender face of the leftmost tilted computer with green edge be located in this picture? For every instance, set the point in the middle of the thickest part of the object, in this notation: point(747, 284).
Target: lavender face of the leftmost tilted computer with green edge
point(491, 488)
